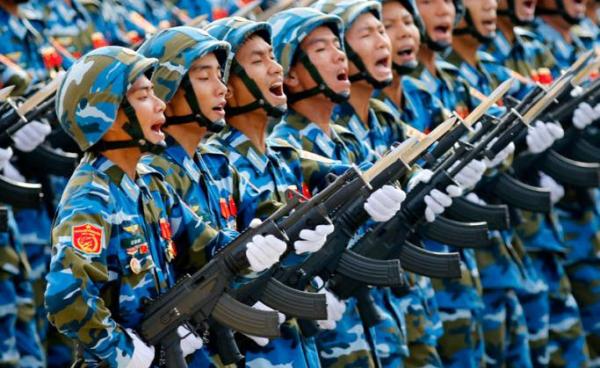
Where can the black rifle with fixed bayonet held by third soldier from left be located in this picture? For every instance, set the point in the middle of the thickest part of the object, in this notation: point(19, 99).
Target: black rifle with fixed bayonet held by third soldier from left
point(389, 240)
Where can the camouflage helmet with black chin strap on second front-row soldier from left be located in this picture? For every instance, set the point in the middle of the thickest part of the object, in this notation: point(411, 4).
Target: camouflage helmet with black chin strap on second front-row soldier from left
point(177, 49)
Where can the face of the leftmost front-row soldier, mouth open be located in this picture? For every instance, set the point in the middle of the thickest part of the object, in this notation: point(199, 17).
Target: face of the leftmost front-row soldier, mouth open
point(149, 109)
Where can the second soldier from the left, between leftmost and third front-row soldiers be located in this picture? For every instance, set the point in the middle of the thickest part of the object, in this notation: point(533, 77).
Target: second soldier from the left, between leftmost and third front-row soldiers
point(191, 83)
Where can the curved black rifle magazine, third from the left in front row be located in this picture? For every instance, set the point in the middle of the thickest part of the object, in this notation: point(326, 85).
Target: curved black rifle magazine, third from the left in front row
point(371, 271)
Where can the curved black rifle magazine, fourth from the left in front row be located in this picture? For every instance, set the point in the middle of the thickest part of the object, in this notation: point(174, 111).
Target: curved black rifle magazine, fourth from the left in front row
point(427, 263)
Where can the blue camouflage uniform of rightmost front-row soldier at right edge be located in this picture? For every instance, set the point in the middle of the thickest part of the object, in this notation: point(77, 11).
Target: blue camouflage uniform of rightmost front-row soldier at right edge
point(578, 219)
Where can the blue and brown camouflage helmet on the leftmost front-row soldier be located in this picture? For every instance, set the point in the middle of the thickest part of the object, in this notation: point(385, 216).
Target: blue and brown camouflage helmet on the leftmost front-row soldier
point(94, 88)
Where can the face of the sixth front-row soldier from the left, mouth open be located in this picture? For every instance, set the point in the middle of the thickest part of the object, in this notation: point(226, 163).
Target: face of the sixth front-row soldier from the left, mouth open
point(402, 31)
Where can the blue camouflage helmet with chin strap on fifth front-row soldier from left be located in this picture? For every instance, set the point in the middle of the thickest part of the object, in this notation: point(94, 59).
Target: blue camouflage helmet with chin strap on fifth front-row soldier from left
point(349, 11)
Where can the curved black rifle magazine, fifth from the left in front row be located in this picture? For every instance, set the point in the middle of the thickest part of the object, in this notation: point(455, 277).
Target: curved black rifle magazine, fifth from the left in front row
point(455, 233)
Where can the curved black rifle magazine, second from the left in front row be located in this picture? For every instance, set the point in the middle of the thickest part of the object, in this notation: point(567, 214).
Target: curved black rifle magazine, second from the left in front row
point(293, 302)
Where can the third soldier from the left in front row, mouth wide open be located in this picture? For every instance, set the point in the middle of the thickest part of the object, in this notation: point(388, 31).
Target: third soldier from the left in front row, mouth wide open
point(255, 84)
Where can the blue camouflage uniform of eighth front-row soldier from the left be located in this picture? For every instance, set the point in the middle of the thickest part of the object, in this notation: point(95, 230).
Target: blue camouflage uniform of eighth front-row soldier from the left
point(501, 268)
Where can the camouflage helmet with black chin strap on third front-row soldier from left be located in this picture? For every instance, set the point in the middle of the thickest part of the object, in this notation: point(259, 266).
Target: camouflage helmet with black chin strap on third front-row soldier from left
point(236, 31)
